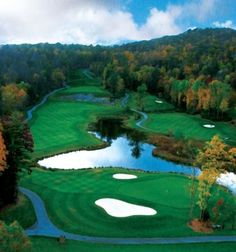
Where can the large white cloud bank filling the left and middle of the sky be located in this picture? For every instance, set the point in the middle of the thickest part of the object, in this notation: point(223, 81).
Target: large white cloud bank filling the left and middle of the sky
point(88, 21)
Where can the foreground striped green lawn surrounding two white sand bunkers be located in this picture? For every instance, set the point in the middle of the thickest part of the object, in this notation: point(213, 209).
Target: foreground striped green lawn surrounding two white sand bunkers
point(70, 196)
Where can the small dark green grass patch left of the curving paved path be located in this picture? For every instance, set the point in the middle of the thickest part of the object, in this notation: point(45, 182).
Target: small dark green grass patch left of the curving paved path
point(22, 211)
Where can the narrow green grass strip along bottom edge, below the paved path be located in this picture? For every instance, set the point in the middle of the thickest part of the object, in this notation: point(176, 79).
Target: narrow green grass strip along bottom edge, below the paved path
point(40, 244)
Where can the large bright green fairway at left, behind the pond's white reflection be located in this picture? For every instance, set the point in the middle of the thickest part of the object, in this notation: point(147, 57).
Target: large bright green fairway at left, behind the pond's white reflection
point(61, 126)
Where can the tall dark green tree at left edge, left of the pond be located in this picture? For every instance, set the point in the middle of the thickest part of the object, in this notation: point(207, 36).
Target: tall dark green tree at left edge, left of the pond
point(19, 145)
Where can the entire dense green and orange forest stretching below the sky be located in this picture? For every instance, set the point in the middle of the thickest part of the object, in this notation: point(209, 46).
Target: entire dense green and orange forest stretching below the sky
point(194, 70)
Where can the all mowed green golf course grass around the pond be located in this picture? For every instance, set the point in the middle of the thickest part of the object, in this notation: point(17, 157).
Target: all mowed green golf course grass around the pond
point(62, 124)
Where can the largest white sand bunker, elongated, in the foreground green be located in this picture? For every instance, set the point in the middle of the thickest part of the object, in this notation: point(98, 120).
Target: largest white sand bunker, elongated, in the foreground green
point(119, 208)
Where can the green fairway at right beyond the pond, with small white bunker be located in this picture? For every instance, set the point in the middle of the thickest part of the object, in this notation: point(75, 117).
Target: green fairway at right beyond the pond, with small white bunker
point(188, 126)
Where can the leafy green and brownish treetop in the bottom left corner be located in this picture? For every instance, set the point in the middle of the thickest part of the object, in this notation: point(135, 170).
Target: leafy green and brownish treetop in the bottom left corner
point(13, 239)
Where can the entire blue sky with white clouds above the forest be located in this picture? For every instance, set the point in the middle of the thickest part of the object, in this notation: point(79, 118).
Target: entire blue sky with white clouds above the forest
point(108, 22)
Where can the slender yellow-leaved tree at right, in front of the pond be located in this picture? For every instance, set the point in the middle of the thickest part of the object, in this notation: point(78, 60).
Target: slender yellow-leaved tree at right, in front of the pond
point(212, 160)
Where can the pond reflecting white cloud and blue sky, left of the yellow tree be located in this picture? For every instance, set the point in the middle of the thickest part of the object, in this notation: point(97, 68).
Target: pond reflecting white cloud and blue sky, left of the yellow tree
point(127, 149)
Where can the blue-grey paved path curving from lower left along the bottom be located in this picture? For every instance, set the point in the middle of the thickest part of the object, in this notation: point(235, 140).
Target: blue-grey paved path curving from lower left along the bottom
point(44, 227)
